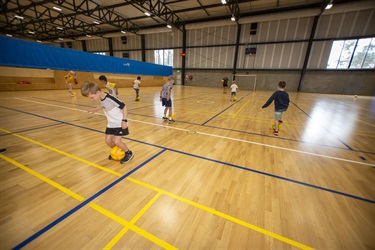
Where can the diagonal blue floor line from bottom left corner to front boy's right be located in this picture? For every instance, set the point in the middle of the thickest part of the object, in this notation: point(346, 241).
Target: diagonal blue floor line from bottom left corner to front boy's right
point(84, 203)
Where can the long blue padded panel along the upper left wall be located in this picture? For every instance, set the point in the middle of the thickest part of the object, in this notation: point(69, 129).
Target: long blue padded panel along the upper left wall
point(18, 53)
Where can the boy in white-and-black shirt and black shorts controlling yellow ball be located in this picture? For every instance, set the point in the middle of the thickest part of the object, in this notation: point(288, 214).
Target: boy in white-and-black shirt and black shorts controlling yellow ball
point(116, 113)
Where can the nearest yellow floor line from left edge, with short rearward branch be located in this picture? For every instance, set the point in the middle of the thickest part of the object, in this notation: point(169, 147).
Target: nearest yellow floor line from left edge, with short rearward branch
point(99, 208)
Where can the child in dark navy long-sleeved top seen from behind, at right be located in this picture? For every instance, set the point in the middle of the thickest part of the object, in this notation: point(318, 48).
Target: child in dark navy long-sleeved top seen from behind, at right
point(281, 99)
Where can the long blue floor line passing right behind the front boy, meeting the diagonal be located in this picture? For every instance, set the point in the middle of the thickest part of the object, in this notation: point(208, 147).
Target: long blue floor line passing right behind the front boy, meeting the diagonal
point(217, 161)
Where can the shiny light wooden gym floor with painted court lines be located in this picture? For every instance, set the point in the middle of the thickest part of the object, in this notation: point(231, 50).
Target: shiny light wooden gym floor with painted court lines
point(216, 179)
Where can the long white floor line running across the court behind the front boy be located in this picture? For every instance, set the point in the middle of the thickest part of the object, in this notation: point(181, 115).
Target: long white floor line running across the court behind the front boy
point(218, 136)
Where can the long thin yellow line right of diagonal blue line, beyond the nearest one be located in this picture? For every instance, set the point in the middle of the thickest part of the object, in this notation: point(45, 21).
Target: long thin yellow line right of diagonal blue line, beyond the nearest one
point(225, 216)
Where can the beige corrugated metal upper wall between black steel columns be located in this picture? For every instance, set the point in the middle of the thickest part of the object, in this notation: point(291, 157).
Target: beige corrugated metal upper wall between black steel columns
point(280, 44)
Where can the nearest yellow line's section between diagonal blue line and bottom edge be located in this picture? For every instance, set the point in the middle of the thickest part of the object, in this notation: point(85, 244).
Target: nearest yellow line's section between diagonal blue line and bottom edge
point(132, 227)
